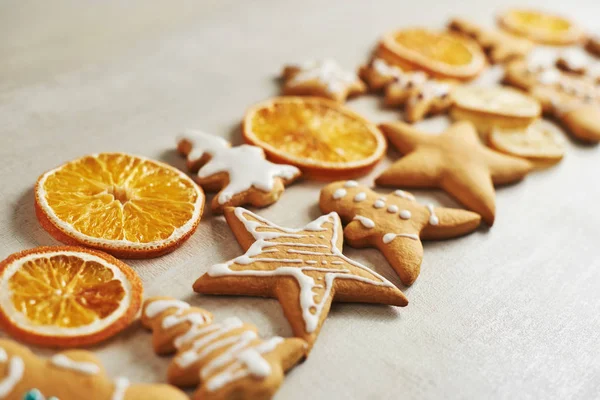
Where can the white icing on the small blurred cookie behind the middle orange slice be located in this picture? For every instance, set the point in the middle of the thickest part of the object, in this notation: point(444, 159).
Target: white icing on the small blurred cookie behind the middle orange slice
point(328, 72)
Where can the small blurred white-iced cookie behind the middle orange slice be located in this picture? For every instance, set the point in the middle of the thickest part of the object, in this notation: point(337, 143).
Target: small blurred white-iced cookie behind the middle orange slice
point(321, 78)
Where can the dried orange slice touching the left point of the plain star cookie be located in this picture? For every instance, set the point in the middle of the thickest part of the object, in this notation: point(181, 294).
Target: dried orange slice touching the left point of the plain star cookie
point(321, 137)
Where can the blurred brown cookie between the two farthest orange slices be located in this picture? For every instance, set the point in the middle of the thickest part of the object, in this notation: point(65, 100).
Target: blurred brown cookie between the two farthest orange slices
point(498, 45)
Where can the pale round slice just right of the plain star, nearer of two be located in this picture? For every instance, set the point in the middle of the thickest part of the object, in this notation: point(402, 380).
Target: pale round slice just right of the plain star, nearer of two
point(539, 142)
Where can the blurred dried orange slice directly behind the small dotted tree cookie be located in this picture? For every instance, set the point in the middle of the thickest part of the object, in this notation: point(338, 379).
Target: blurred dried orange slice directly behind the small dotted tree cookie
point(442, 54)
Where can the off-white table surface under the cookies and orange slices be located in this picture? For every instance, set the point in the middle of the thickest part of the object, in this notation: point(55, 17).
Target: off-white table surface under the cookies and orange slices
point(510, 312)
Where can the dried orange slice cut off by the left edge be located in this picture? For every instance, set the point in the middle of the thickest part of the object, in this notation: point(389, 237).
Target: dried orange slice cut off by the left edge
point(66, 296)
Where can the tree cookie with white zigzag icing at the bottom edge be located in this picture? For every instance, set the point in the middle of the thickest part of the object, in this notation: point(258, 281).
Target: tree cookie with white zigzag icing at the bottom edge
point(227, 359)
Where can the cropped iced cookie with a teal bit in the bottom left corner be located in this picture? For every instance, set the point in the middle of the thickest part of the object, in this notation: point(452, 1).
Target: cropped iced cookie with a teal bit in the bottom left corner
point(72, 375)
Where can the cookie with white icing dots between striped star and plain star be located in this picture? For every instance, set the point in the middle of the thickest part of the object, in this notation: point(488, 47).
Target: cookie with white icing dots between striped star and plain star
point(394, 223)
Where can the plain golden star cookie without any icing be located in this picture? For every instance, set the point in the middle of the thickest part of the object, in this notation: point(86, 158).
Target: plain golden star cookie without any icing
point(455, 161)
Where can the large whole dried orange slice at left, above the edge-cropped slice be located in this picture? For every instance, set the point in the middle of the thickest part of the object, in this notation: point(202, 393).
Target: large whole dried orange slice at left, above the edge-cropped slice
point(126, 205)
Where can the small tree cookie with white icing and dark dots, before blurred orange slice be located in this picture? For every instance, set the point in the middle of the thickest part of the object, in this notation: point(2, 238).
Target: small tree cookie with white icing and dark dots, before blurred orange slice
point(419, 95)
